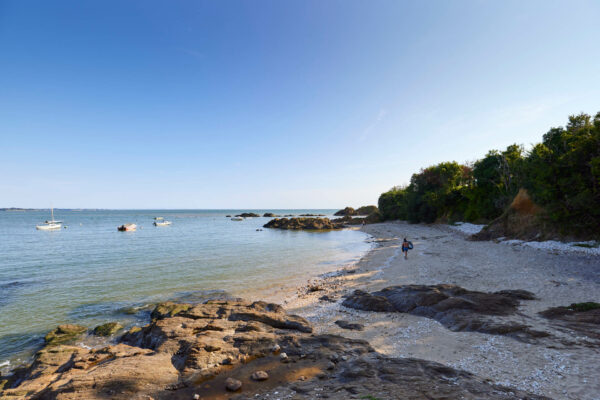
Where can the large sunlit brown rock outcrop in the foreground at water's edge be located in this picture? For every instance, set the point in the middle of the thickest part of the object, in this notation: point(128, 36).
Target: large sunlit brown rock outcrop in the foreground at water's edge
point(255, 349)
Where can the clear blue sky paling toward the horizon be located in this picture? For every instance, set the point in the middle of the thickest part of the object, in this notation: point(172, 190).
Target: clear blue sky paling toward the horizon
point(275, 104)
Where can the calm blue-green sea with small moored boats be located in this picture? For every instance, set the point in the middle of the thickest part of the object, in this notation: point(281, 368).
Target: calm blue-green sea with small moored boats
point(90, 273)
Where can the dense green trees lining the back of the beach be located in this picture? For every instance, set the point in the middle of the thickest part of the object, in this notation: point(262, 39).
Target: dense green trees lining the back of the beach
point(559, 178)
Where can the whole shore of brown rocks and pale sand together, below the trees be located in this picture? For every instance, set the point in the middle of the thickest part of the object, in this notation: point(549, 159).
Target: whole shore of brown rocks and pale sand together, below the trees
point(458, 319)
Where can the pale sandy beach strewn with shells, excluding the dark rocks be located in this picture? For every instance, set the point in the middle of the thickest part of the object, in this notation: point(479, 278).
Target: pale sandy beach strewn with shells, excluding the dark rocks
point(561, 369)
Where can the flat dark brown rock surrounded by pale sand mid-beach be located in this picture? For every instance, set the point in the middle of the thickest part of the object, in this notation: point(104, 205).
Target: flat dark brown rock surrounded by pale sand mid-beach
point(456, 308)
